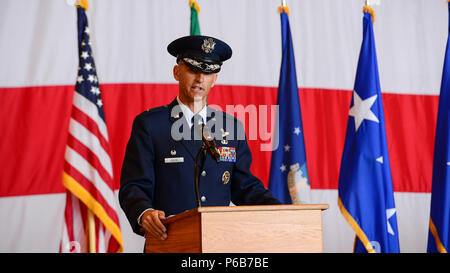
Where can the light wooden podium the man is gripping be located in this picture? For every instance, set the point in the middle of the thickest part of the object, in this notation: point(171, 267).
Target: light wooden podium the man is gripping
point(244, 229)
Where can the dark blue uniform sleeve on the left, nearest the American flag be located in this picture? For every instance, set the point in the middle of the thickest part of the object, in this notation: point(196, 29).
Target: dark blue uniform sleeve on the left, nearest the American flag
point(138, 176)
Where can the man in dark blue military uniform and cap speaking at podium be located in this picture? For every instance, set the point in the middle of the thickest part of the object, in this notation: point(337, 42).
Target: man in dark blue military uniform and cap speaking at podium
point(157, 177)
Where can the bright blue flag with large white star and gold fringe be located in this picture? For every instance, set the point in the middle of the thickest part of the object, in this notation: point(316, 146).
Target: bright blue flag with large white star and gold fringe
point(366, 197)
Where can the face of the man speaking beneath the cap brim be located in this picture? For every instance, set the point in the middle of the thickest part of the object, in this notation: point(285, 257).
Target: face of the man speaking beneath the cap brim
point(194, 85)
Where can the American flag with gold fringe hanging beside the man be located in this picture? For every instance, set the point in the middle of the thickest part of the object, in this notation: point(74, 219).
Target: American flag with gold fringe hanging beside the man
point(91, 223)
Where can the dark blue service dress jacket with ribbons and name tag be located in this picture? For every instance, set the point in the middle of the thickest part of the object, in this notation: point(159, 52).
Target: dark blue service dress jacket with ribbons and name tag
point(158, 167)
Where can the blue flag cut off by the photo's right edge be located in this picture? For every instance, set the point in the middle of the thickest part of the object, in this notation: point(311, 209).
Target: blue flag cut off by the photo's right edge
point(439, 229)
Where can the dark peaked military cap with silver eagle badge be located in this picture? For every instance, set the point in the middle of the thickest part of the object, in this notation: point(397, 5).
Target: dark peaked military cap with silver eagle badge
point(202, 53)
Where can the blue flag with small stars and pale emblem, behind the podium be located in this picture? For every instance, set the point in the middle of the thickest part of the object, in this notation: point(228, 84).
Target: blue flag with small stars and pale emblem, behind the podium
point(288, 179)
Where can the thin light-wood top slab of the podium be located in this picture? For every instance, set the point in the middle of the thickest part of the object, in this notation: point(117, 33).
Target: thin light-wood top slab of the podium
point(191, 212)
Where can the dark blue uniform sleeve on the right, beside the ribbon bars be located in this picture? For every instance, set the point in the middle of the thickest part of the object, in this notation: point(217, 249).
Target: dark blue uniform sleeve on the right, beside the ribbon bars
point(246, 189)
